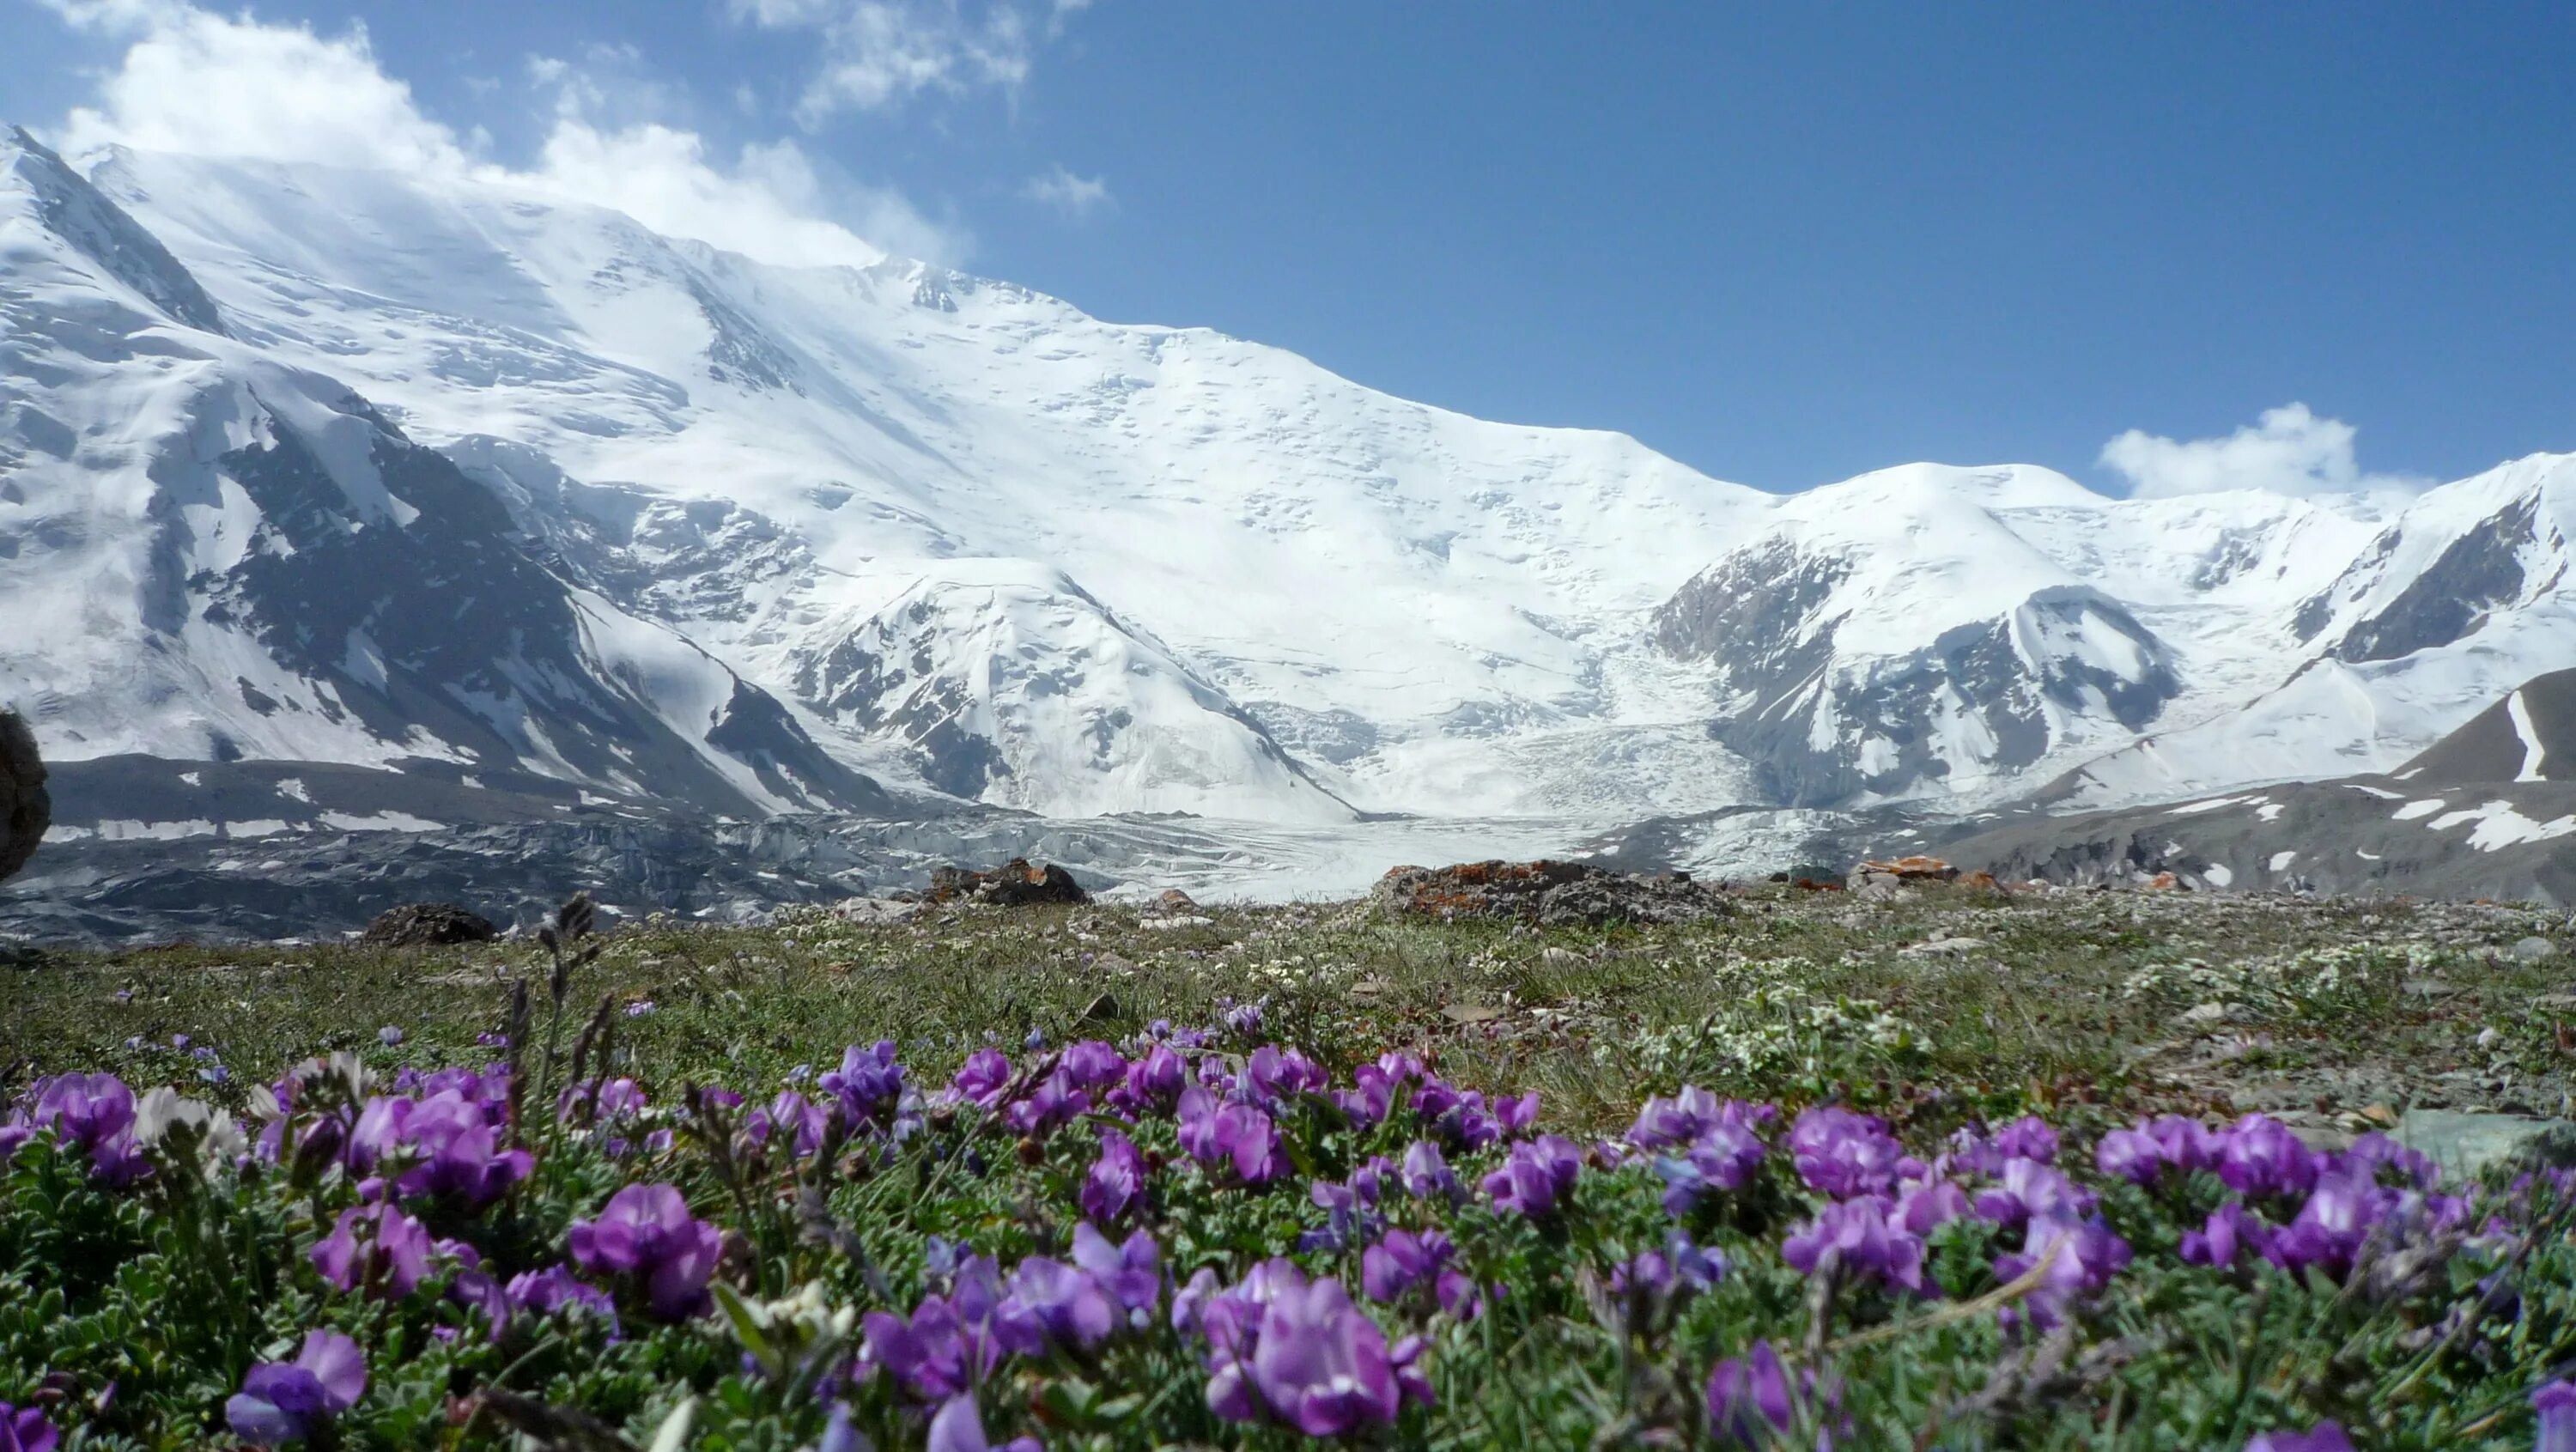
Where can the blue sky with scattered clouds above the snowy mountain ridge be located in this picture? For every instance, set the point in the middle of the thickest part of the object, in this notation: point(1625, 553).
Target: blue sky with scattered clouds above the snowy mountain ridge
point(1781, 243)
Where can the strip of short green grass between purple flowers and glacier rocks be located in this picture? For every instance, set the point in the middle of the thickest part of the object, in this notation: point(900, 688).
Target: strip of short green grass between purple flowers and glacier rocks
point(2335, 1008)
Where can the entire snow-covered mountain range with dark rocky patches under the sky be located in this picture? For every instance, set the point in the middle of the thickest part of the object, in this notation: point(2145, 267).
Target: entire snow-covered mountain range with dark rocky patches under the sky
point(383, 470)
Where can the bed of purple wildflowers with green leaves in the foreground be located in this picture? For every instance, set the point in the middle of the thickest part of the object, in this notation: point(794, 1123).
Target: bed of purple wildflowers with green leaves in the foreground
point(1204, 1237)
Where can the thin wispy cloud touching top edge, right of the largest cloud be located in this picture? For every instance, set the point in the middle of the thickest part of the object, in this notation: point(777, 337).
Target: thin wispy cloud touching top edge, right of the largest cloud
point(877, 55)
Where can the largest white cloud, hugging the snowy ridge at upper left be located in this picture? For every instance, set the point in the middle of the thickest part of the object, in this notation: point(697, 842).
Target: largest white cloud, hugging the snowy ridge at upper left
point(233, 86)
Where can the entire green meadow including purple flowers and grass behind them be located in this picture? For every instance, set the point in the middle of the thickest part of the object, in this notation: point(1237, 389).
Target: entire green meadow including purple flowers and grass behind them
point(1709, 1278)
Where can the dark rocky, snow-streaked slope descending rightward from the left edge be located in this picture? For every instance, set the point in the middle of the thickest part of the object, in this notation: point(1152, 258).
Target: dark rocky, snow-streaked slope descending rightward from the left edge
point(218, 557)
